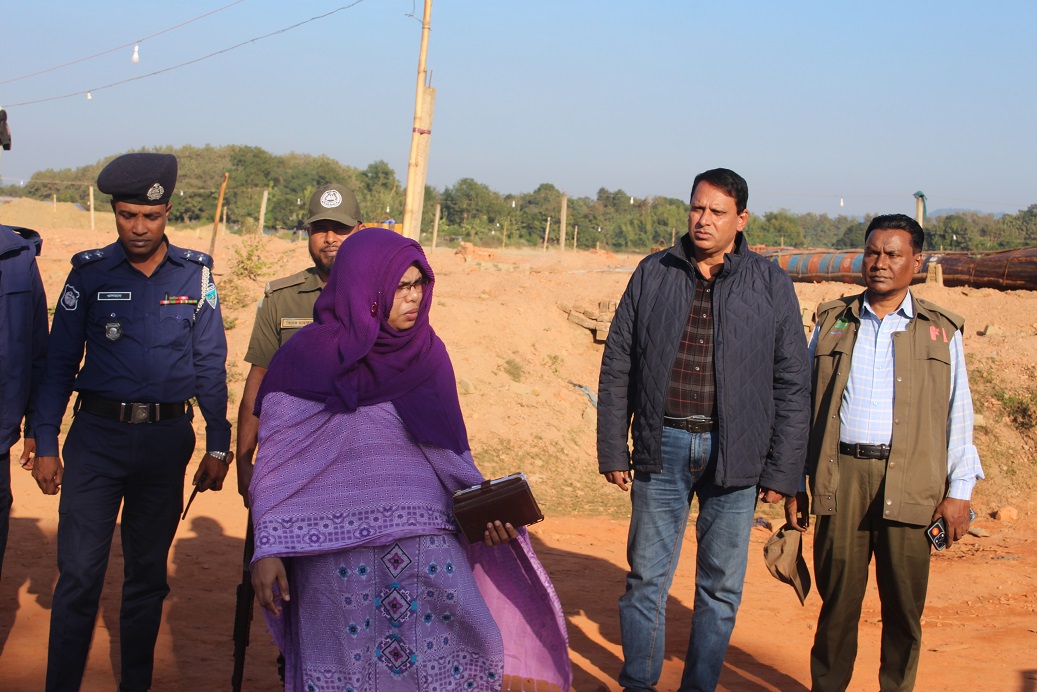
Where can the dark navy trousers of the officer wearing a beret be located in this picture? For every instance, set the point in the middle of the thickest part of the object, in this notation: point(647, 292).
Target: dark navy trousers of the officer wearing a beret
point(110, 464)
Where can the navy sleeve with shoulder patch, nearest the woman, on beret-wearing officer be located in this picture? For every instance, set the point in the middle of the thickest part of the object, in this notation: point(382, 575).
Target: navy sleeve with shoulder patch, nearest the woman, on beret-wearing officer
point(211, 372)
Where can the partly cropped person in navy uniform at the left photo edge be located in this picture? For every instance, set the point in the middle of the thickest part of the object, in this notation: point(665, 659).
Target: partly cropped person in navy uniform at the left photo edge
point(23, 350)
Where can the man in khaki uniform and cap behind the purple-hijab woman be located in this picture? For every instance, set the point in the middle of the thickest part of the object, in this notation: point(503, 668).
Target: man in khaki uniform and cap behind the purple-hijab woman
point(288, 307)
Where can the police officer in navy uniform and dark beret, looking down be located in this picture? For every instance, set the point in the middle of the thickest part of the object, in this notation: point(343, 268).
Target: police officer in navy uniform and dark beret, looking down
point(150, 317)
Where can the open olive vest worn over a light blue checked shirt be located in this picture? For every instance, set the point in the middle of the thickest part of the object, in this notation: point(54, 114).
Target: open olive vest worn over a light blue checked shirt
point(916, 473)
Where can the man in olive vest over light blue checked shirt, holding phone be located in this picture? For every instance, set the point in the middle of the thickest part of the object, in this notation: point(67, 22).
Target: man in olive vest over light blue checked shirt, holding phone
point(891, 451)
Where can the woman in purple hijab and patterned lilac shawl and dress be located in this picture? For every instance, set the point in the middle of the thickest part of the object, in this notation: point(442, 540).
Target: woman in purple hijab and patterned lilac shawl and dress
point(367, 583)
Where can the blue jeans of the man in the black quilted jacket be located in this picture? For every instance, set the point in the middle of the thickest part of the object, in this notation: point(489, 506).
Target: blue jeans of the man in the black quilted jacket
point(661, 505)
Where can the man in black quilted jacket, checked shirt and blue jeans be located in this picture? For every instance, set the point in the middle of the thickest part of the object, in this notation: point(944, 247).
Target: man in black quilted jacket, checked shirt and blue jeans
point(708, 358)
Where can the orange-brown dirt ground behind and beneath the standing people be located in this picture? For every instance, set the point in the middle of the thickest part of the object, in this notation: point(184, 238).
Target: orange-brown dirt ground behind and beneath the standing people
point(527, 376)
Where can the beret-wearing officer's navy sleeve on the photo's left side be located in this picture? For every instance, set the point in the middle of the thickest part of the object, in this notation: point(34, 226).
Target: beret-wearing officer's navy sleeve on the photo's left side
point(64, 355)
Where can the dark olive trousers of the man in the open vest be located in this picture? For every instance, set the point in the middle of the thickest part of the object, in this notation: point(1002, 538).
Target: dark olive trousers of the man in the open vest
point(844, 547)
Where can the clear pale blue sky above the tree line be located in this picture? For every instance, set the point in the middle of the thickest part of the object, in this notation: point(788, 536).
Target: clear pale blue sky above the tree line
point(811, 102)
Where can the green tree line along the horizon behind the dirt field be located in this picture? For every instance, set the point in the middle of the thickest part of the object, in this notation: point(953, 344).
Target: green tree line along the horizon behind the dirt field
point(473, 212)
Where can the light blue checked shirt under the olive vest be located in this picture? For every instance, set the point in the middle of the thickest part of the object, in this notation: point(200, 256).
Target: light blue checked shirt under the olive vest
point(866, 413)
